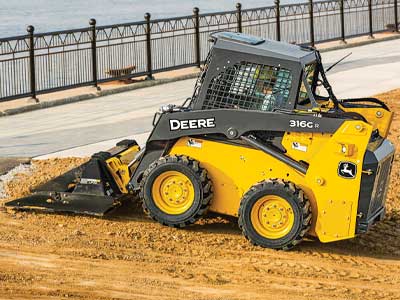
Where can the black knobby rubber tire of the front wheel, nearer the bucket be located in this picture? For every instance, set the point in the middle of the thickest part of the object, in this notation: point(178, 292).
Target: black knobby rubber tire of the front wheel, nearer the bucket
point(201, 183)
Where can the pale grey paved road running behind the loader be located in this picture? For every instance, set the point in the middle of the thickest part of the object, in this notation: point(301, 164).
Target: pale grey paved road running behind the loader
point(369, 70)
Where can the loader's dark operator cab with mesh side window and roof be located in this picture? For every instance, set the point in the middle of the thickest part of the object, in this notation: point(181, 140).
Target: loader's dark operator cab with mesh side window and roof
point(247, 72)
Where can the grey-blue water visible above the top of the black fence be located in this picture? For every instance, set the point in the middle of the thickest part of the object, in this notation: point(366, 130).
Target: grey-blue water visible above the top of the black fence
point(51, 15)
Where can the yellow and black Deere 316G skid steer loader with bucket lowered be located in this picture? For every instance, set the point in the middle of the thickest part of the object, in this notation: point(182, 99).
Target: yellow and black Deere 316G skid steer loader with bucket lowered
point(258, 140)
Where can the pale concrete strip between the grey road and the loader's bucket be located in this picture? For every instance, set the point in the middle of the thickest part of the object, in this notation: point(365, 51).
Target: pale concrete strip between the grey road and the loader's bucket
point(88, 150)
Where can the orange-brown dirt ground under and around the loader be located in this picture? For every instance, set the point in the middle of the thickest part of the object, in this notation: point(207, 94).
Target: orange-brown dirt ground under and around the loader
point(127, 256)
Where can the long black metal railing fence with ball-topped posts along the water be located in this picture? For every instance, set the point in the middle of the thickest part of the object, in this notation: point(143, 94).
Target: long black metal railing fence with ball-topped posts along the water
point(45, 62)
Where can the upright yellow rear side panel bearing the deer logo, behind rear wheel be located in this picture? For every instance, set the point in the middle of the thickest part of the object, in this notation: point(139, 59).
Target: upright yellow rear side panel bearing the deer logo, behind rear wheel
point(337, 196)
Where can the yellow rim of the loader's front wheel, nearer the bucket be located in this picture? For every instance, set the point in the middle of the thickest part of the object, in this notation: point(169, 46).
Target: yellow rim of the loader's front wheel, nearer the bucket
point(173, 192)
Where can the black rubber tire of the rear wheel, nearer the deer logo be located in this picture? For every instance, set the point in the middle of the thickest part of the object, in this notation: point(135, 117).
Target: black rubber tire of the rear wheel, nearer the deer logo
point(300, 206)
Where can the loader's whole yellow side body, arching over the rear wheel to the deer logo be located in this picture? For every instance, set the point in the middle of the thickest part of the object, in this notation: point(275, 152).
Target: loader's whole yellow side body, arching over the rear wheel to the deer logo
point(234, 169)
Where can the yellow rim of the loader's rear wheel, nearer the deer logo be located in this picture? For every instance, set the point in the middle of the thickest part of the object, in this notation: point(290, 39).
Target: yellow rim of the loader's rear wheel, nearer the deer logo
point(272, 217)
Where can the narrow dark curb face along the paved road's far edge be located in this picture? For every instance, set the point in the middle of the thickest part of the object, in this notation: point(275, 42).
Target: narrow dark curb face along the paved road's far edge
point(149, 83)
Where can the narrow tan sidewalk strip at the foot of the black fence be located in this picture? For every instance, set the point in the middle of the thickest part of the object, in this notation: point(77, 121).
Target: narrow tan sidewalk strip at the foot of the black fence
point(86, 93)
